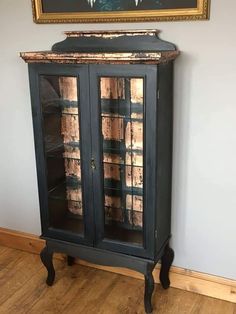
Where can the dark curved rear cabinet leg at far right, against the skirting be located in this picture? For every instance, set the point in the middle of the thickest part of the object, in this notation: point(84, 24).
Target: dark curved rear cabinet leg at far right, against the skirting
point(166, 262)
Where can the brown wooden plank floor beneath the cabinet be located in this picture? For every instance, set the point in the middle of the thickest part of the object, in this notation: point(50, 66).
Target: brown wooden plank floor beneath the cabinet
point(80, 289)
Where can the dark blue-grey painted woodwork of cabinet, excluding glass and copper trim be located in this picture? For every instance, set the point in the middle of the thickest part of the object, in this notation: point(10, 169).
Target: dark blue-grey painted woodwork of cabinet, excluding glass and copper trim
point(158, 121)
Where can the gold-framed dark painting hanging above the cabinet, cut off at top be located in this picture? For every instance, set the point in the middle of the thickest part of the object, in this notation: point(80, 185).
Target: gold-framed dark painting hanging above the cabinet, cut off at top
point(90, 11)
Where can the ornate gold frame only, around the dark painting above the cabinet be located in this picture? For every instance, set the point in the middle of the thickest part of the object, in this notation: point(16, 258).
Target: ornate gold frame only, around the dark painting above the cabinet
point(200, 12)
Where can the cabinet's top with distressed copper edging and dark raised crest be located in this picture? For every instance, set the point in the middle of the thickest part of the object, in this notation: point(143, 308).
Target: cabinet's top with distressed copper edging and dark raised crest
point(141, 46)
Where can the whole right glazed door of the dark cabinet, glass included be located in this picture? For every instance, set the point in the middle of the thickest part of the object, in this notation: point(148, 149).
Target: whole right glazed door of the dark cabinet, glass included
point(123, 105)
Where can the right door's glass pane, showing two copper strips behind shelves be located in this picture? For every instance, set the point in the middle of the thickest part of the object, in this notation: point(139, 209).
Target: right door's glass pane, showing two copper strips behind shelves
point(122, 111)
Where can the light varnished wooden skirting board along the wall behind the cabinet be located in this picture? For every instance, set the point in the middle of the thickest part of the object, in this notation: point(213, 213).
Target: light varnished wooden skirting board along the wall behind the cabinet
point(188, 280)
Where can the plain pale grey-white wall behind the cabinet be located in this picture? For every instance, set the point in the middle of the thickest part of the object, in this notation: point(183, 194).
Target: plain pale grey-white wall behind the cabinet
point(204, 188)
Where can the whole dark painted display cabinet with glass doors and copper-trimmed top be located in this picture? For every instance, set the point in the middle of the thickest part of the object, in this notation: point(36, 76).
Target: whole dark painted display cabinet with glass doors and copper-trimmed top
point(102, 114)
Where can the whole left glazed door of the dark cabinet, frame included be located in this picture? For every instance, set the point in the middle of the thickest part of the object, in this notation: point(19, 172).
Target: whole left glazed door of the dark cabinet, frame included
point(61, 121)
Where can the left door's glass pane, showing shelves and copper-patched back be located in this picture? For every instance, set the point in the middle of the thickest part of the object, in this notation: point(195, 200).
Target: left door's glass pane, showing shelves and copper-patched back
point(60, 110)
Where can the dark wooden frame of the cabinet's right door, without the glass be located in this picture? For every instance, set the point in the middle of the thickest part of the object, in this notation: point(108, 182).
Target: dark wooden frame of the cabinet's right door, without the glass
point(149, 72)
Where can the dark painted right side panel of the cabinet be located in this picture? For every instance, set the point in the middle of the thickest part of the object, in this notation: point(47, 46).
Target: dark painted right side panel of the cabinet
point(164, 154)
